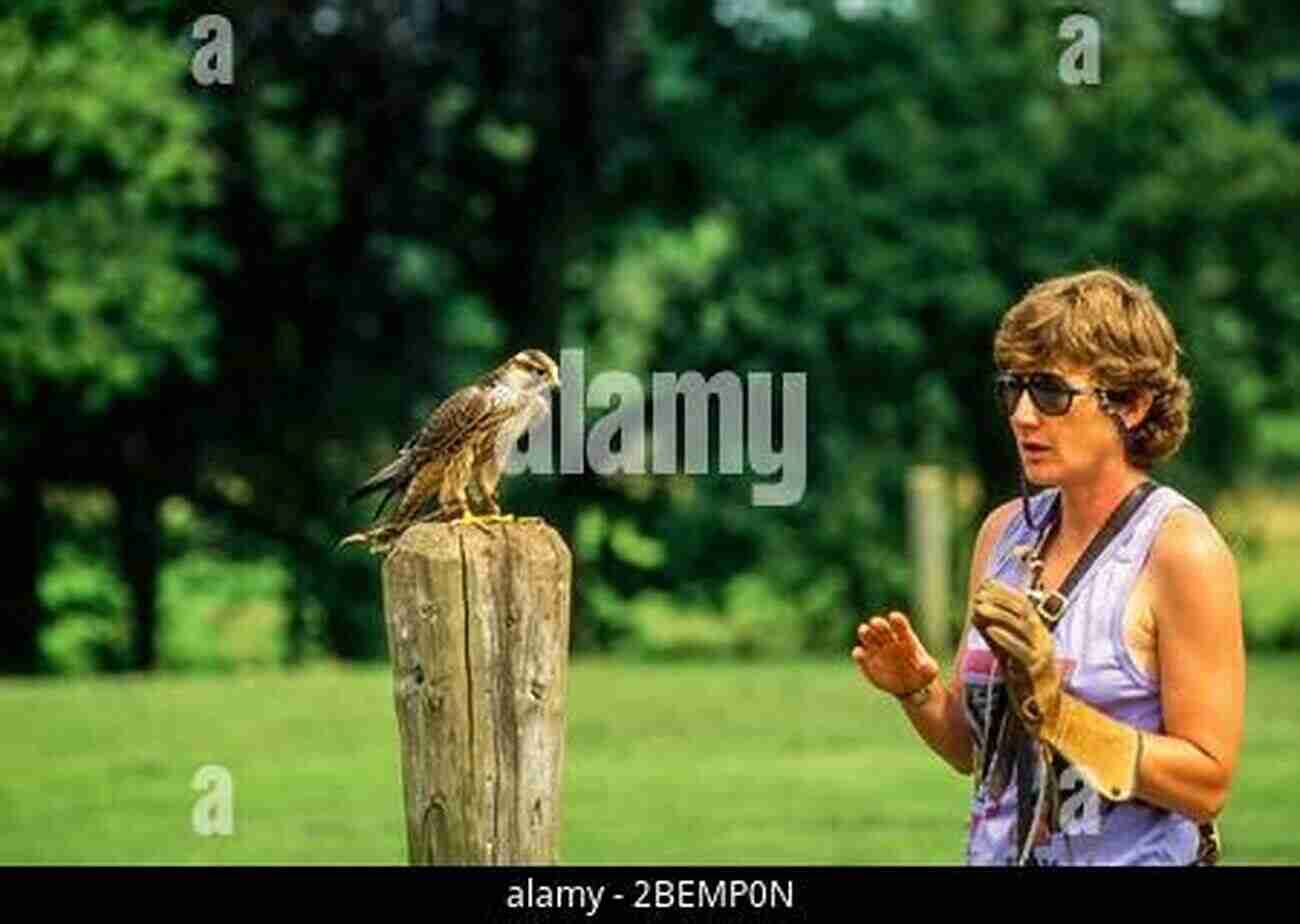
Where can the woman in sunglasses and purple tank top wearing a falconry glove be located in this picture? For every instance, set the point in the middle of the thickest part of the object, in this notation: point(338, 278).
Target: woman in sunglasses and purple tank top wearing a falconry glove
point(1102, 721)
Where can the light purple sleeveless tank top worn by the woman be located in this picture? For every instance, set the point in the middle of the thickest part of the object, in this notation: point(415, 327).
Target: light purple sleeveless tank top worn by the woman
point(1098, 669)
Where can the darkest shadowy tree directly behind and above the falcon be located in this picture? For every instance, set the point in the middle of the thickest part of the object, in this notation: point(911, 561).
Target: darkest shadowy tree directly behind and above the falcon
point(410, 189)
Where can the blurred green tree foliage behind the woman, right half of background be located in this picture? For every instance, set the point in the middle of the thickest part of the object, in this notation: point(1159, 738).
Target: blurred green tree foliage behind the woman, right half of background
point(886, 186)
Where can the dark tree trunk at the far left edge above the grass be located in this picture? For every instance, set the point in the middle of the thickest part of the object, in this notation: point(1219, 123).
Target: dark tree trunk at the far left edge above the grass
point(20, 605)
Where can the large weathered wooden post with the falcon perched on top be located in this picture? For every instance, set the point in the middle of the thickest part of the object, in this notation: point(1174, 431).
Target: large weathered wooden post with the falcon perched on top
point(479, 627)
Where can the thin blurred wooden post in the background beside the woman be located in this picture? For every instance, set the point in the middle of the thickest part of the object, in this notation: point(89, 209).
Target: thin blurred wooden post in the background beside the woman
point(930, 536)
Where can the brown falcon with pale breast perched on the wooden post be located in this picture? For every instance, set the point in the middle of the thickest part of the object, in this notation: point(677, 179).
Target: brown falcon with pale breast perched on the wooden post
point(462, 450)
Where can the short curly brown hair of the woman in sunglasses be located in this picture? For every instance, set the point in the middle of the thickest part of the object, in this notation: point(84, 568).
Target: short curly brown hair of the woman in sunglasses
point(1111, 327)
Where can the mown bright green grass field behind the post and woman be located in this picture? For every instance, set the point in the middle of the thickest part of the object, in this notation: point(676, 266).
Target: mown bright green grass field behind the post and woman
point(669, 764)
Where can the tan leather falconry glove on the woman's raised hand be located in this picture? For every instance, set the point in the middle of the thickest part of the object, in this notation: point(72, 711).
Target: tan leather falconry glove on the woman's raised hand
point(1104, 751)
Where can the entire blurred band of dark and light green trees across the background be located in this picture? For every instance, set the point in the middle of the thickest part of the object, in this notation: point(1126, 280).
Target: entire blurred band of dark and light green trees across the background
point(249, 296)
